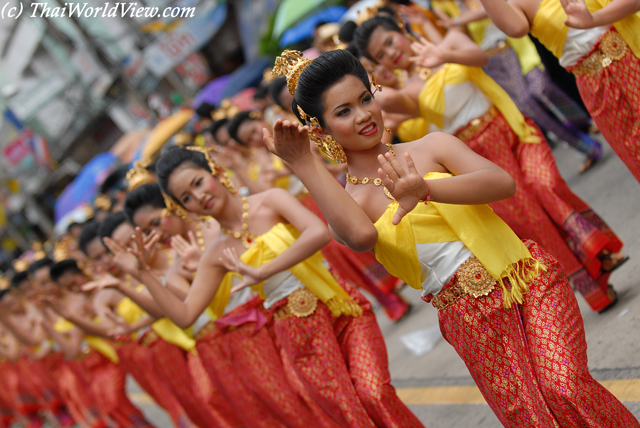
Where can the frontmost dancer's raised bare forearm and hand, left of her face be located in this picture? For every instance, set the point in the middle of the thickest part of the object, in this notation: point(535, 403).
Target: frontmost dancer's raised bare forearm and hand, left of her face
point(291, 143)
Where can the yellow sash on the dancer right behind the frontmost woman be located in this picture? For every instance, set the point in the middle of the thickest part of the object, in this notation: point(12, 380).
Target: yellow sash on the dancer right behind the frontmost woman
point(432, 99)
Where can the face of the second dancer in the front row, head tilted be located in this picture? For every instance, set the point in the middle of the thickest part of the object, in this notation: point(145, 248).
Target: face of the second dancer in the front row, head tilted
point(197, 190)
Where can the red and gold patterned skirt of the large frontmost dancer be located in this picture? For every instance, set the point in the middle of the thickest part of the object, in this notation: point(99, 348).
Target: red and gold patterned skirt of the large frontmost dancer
point(530, 361)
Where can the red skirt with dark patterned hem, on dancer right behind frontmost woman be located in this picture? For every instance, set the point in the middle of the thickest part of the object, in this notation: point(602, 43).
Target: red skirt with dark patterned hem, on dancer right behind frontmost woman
point(546, 210)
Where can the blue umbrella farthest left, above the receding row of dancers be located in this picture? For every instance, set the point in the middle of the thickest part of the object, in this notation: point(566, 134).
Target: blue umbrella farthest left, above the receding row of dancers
point(85, 186)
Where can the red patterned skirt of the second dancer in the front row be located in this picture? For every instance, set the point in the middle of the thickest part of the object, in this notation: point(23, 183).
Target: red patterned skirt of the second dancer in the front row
point(344, 365)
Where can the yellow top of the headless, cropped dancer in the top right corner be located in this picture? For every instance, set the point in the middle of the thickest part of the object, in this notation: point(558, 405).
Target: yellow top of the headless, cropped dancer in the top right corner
point(548, 26)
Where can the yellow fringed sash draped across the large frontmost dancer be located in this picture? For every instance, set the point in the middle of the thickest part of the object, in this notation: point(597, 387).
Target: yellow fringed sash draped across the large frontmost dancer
point(477, 226)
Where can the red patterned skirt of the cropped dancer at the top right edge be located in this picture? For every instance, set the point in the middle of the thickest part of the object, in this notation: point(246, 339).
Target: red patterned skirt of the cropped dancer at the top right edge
point(612, 97)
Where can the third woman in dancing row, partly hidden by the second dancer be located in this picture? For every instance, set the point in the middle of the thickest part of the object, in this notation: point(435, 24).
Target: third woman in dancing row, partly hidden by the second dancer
point(243, 362)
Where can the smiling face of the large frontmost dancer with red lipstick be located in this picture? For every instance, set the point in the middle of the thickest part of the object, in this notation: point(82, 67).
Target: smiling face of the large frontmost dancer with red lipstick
point(352, 116)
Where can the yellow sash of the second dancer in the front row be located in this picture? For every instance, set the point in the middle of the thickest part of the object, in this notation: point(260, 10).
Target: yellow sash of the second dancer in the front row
point(311, 272)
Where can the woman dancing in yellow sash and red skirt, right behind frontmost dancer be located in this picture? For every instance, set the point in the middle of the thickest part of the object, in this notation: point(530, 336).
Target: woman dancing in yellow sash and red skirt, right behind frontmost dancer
point(465, 102)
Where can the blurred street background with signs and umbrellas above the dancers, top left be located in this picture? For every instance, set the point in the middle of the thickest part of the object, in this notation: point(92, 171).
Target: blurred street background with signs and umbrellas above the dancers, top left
point(82, 96)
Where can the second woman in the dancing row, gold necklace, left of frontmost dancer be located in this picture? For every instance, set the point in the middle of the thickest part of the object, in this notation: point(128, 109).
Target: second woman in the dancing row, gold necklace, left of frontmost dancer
point(279, 241)
